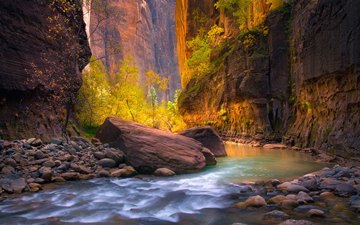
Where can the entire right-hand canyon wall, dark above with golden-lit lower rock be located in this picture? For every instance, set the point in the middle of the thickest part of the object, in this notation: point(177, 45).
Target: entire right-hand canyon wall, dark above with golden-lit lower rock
point(298, 80)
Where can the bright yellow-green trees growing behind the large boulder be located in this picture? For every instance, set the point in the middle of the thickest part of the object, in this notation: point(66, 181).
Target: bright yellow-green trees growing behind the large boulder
point(101, 97)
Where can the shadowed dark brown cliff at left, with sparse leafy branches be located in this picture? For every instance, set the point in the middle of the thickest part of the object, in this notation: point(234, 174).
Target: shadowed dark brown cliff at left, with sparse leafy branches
point(40, 65)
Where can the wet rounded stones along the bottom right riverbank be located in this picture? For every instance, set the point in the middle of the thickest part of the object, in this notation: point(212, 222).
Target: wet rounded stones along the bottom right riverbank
point(318, 196)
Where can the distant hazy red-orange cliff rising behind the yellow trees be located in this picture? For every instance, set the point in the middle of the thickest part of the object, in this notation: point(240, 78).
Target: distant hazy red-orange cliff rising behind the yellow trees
point(143, 29)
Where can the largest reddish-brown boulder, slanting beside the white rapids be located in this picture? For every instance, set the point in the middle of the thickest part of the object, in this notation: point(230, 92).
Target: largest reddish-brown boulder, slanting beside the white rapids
point(147, 149)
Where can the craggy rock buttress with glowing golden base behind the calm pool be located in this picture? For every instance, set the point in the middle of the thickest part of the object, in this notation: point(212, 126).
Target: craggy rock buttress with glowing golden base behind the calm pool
point(249, 93)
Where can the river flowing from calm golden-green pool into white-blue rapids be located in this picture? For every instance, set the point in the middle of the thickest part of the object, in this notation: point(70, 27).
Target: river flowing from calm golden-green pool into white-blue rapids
point(206, 197)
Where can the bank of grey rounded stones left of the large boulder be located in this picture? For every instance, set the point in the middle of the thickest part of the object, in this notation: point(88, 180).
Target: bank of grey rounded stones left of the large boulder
point(26, 165)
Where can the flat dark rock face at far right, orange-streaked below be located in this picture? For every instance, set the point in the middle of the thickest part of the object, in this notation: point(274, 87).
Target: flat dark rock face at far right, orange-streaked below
point(326, 74)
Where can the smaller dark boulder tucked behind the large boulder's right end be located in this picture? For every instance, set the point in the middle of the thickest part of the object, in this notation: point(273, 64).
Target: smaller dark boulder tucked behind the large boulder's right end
point(208, 137)
